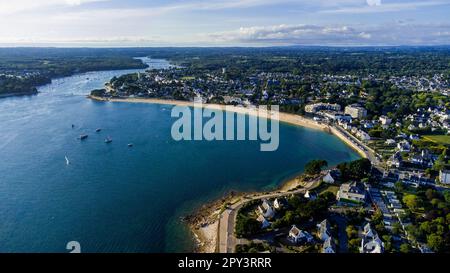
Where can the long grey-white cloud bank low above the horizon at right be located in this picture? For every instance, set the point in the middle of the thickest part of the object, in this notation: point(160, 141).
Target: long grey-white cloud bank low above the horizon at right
point(389, 34)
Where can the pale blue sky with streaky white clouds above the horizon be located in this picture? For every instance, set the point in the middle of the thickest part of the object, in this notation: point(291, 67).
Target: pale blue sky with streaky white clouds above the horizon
point(223, 22)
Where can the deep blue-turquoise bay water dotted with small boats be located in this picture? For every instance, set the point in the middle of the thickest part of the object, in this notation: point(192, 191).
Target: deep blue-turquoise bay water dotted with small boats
point(112, 198)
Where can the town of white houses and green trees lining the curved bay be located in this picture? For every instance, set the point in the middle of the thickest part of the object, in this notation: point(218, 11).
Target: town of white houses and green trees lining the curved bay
point(395, 199)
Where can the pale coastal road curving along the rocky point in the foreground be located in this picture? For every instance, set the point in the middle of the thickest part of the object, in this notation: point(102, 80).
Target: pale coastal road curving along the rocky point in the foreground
point(227, 241)
